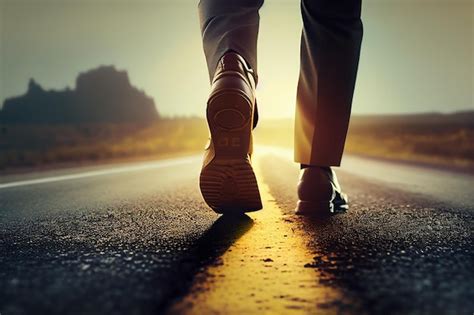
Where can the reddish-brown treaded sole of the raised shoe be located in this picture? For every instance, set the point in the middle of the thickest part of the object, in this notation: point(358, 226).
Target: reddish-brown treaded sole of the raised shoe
point(228, 183)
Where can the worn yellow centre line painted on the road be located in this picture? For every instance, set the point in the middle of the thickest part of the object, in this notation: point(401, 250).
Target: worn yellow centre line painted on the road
point(262, 272)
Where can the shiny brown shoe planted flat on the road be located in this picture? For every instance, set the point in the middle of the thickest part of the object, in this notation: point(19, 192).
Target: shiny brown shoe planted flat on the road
point(319, 193)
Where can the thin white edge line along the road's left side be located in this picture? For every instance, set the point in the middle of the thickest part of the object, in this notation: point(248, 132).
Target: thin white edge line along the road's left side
point(113, 170)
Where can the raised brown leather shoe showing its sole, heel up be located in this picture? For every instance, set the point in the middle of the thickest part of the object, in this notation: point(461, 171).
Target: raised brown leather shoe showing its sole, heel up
point(228, 183)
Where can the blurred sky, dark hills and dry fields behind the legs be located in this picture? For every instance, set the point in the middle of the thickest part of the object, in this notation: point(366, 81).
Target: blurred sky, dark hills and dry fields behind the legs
point(102, 80)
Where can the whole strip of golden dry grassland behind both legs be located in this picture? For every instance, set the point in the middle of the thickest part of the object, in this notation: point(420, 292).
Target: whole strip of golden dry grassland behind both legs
point(446, 140)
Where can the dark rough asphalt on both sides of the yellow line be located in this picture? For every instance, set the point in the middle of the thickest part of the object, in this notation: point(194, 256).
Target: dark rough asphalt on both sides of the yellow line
point(131, 243)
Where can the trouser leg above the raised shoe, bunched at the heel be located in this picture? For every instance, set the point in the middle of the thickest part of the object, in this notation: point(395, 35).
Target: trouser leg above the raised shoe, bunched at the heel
point(229, 25)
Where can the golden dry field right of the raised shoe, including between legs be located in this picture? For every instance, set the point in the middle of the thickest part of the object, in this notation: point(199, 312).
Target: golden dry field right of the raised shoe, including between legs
point(444, 140)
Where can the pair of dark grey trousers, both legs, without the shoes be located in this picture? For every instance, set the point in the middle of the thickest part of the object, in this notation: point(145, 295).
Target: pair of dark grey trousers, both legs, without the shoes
point(330, 49)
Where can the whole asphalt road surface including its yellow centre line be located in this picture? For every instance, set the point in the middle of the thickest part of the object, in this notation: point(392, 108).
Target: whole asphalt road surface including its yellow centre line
point(138, 239)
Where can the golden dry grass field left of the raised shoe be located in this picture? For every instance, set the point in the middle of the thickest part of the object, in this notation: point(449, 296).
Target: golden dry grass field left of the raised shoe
point(39, 145)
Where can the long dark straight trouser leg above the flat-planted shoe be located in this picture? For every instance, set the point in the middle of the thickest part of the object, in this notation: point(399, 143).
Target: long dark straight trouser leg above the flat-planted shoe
point(330, 48)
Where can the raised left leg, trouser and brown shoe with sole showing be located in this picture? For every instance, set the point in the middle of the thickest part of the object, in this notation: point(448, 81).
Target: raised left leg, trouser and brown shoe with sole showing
point(229, 30)
